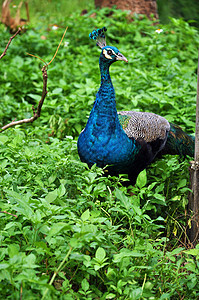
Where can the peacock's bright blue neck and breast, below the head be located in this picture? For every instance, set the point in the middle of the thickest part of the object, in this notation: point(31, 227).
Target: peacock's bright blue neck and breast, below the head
point(103, 141)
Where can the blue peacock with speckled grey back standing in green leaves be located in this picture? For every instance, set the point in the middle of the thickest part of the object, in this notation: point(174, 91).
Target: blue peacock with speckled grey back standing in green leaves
point(126, 141)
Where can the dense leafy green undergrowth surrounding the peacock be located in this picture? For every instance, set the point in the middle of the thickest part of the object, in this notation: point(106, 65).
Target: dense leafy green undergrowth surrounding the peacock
point(68, 232)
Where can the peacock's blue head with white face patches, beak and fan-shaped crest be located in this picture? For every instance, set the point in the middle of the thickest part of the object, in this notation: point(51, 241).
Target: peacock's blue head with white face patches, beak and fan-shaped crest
point(109, 54)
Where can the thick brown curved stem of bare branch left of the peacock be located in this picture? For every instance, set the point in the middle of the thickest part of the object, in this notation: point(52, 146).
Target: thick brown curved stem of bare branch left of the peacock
point(36, 114)
